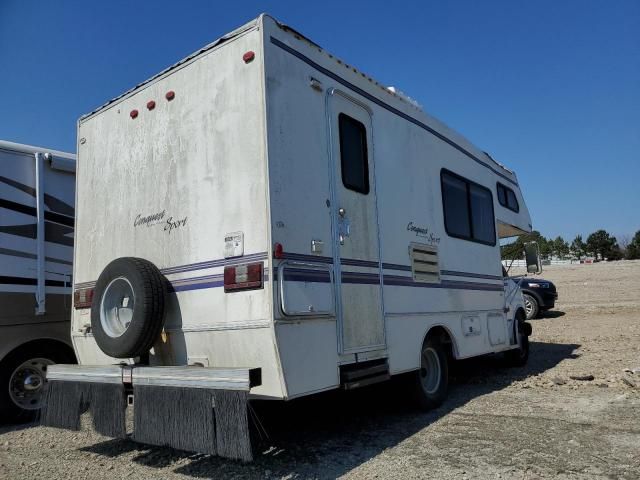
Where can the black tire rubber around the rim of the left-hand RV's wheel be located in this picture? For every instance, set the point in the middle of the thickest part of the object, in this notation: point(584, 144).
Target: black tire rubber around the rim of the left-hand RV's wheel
point(10, 411)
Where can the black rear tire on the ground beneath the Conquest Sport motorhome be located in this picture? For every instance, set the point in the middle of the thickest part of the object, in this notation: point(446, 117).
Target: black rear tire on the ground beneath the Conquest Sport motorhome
point(431, 397)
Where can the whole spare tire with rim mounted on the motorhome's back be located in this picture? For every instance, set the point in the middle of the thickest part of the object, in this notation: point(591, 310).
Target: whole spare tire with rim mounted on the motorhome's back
point(128, 307)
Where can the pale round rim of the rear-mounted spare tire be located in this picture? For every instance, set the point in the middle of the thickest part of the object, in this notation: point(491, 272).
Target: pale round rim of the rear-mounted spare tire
point(116, 307)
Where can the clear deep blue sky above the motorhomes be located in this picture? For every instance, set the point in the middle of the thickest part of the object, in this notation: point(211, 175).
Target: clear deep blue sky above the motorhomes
point(550, 88)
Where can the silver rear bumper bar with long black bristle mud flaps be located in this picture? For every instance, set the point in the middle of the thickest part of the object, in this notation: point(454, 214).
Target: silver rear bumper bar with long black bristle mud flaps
point(188, 408)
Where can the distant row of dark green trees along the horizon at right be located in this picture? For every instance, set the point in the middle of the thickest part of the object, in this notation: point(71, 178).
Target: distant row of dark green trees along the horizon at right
point(599, 245)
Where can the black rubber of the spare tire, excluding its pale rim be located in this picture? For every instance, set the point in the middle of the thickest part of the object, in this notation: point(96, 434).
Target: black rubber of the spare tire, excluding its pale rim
point(149, 299)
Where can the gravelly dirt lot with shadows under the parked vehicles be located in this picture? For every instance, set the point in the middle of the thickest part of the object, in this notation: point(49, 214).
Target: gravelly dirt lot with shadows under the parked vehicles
point(526, 423)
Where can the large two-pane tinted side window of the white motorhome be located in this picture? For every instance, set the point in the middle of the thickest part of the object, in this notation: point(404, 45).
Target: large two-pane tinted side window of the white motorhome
point(468, 209)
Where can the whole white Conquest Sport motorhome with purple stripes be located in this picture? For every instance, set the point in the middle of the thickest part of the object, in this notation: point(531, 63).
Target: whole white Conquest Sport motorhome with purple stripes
point(313, 230)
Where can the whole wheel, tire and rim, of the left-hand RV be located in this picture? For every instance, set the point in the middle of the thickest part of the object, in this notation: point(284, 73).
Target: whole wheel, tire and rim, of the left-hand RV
point(22, 380)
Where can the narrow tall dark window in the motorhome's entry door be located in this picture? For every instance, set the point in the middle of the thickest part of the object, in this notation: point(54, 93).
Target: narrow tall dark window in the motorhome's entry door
point(353, 154)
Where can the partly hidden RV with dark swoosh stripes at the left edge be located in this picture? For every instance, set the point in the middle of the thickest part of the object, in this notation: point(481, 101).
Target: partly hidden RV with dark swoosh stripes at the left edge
point(37, 188)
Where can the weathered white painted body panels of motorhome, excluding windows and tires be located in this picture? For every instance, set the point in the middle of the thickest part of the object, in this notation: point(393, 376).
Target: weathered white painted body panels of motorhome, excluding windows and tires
point(247, 147)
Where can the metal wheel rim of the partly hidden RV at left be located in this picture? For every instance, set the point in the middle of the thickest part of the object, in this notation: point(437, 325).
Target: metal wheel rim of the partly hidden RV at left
point(27, 382)
